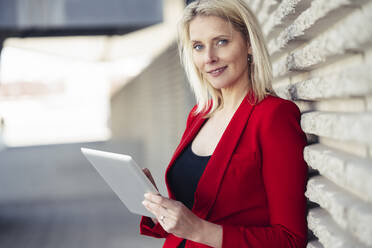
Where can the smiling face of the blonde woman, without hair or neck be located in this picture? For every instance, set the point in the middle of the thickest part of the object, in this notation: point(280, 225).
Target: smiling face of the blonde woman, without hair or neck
point(220, 53)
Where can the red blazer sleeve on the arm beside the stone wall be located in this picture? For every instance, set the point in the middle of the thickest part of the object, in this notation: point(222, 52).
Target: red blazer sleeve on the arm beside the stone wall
point(284, 174)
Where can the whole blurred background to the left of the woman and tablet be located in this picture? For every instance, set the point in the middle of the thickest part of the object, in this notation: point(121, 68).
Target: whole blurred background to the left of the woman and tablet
point(64, 65)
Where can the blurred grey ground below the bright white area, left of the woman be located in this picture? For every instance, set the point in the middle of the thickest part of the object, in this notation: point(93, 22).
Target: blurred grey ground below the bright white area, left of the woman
point(50, 197)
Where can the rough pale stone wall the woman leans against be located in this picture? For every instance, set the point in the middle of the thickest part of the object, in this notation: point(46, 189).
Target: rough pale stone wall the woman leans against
point(322, 56)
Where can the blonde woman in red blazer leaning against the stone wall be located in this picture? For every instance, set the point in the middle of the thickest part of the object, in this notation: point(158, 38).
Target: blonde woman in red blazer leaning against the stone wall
point(237, 178)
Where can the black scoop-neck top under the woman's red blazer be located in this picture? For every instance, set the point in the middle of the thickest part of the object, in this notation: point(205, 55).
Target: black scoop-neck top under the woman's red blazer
point(184, 177)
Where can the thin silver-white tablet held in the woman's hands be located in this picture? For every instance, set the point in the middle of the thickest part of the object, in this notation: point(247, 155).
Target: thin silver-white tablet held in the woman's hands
point(124, 176)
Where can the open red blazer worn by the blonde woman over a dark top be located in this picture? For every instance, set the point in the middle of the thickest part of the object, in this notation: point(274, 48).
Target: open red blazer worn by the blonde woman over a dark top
point(254, 183)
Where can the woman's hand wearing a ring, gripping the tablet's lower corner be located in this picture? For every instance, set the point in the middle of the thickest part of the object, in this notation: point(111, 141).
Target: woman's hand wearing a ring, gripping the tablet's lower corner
point(174, 216)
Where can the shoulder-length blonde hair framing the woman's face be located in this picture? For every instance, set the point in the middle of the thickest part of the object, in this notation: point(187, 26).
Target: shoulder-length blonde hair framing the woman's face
point(243, 20)
